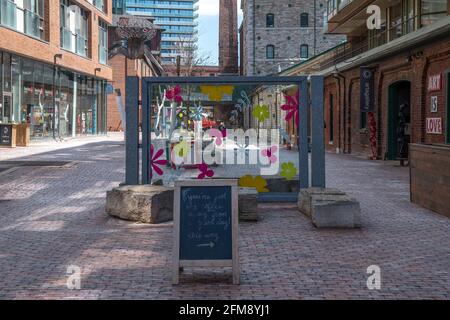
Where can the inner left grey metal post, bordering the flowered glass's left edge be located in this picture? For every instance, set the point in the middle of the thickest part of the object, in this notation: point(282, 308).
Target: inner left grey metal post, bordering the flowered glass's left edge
point(146, 138)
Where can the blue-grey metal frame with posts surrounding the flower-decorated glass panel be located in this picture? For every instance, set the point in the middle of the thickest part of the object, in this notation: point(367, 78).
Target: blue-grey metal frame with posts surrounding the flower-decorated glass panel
point(310, 107)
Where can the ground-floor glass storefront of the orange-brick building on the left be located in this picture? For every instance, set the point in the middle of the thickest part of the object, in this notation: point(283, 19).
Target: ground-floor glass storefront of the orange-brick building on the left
point(54, 102)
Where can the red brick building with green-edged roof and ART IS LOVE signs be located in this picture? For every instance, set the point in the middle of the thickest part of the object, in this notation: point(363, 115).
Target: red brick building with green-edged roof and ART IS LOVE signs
point(409, 61)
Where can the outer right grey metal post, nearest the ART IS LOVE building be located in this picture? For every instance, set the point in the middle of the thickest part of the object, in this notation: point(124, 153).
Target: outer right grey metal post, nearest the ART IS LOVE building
point(318, 144)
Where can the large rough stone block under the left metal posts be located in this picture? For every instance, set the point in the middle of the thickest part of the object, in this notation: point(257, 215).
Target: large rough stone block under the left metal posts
point(145, 204)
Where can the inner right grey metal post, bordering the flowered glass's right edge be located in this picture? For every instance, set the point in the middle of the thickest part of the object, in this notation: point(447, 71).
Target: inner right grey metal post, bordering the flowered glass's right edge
point(303, 135)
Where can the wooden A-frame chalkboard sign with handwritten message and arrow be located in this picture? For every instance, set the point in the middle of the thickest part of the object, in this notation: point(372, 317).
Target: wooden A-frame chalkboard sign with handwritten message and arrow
point(206, 225)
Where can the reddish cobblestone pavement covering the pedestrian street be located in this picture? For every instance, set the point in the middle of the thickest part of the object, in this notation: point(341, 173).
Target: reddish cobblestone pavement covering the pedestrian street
point(53, 217)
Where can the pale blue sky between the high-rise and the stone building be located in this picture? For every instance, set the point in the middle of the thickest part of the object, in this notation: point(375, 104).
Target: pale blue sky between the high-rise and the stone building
point(208, 29)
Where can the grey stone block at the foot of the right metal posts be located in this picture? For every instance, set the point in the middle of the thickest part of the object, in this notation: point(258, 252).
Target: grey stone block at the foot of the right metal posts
point(329, 208)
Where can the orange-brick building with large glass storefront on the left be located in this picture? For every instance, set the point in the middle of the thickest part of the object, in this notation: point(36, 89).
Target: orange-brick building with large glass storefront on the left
point(53, 66)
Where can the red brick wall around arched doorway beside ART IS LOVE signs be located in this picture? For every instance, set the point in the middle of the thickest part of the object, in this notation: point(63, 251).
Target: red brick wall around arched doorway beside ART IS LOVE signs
point(414, 67)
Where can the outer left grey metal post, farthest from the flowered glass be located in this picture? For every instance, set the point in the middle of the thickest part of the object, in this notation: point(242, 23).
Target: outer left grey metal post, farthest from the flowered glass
point(132, 131)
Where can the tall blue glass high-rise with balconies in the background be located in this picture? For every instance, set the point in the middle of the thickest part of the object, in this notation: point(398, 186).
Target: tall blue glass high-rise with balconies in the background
point(177, 18)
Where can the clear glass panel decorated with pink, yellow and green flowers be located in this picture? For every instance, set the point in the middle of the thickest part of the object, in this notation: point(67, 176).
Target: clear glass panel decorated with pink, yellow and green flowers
point(226, 131)
